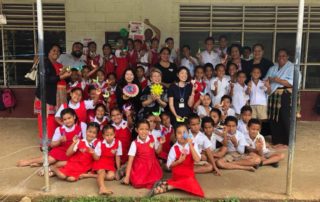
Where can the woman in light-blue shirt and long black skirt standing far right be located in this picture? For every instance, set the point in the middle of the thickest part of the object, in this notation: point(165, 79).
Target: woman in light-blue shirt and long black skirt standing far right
point(280, 77)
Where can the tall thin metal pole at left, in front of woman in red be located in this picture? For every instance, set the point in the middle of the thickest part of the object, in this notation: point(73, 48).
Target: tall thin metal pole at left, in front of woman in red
point(43, 96)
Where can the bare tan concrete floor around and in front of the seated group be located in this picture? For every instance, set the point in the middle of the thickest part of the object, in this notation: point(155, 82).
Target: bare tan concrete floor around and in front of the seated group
point(267, 183)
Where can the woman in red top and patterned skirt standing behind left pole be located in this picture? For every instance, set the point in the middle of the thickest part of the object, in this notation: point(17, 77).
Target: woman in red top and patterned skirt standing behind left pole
point(55, 89)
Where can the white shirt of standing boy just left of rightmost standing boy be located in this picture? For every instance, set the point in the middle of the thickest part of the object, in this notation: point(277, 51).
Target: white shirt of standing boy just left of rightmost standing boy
point(239, 97)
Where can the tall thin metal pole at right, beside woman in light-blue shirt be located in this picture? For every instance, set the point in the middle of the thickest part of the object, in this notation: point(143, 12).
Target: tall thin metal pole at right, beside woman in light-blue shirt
point(292, 134)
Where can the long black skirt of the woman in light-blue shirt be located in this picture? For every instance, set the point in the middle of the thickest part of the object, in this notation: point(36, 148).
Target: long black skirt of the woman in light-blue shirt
point(280, 129)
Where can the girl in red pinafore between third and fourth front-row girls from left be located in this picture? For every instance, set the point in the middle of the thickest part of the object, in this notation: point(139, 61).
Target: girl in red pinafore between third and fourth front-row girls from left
point(122, 131)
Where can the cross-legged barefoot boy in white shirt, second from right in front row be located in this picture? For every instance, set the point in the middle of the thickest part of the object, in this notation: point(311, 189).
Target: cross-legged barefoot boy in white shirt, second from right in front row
point(236, 158)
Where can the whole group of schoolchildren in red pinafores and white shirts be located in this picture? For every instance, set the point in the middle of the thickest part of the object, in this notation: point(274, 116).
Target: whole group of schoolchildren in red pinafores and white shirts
point(95, 138)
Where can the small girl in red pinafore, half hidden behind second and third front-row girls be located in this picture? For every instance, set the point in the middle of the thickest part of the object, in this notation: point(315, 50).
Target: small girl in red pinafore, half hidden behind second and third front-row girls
point(100, 118)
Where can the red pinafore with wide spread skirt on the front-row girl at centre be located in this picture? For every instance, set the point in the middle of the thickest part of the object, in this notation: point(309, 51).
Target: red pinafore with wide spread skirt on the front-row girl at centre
point(146, 169)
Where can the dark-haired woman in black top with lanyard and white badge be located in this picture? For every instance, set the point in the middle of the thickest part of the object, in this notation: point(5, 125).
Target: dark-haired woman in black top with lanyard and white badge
point(181, 95)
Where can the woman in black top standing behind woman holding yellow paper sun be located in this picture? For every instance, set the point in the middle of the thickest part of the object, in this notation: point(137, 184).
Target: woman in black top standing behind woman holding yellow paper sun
point(168, 69)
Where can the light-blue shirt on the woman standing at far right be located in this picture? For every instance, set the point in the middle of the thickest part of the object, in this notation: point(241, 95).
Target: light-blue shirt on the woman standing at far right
point(284, 73)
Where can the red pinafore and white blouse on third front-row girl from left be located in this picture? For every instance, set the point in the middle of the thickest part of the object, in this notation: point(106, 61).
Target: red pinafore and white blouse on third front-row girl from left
point(107, 155)
